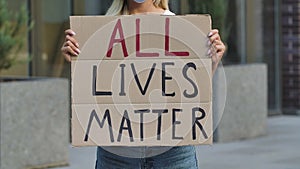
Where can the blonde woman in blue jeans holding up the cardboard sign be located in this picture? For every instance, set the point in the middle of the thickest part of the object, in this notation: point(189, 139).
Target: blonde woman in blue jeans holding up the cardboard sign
point(172, 158)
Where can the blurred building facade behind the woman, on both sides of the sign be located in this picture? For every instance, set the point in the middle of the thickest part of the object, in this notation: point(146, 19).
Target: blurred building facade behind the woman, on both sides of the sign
point(260, 31)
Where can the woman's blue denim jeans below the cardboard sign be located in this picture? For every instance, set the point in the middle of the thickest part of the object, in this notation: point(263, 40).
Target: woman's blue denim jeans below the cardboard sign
point(183, 157)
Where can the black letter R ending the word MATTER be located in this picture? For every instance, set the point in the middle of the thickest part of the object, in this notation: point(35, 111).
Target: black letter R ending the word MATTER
point(196, 120)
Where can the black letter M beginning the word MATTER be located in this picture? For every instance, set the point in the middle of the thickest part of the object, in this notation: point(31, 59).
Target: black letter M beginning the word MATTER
point(101, 124)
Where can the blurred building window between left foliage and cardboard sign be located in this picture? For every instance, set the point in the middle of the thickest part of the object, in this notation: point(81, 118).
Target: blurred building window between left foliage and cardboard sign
point(51, 18)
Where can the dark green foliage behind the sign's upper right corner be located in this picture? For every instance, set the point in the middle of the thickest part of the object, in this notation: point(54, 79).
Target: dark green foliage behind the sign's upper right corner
point(218, 10)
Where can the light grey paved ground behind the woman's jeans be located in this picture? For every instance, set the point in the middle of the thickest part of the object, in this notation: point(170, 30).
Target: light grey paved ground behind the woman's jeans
point(280, 149)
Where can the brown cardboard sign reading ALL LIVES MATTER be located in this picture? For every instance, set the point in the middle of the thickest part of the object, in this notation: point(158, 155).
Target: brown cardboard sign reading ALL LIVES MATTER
point(141, 80)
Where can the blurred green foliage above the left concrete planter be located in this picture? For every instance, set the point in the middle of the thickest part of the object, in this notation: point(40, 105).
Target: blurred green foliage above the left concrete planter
point(13, 34)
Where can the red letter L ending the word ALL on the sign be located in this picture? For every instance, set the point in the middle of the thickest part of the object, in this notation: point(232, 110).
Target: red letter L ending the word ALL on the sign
point(167, 42)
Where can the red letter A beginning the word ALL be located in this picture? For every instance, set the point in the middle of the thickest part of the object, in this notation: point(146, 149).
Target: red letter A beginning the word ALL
point(114, 40)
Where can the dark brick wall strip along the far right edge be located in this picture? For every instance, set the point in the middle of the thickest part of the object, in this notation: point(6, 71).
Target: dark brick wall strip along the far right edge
point(290, 53)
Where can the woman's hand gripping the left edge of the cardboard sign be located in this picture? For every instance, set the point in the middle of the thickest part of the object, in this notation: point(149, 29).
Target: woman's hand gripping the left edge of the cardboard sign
point(70, 47)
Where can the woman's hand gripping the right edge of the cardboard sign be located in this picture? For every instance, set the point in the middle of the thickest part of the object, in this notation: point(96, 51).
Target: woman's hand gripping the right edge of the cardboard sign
point(217, 48)
